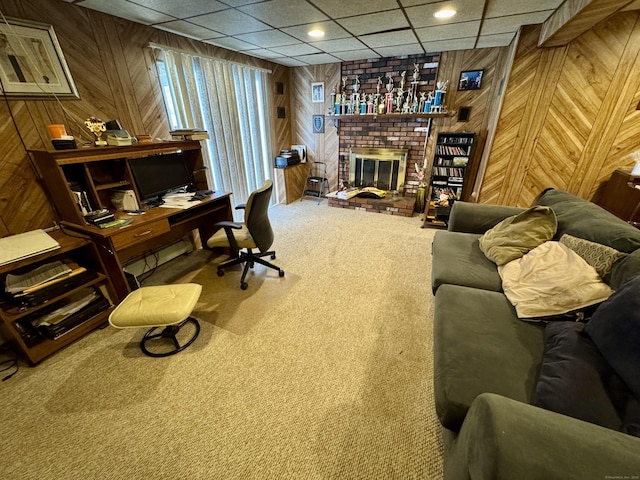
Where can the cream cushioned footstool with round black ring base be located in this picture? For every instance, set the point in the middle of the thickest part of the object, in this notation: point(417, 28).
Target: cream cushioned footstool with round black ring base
point(167, 306)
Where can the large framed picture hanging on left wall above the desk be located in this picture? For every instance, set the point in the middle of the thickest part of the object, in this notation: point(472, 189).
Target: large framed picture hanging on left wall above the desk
point(31, 61)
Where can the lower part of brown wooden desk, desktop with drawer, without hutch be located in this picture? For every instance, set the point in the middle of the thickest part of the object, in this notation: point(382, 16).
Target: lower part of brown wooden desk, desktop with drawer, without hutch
point(153, 229)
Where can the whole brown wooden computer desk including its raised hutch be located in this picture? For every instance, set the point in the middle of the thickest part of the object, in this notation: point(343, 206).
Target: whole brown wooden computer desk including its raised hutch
point(99, 172)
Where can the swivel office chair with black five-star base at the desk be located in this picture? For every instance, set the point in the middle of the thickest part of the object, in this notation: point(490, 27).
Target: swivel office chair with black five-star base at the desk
point(255, 232)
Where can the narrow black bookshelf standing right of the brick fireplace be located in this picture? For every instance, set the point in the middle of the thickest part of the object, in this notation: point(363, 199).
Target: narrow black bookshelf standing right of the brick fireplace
point(449, 174)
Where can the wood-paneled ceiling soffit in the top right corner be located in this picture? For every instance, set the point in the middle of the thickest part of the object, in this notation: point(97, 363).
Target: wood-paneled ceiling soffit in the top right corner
point(574, 18)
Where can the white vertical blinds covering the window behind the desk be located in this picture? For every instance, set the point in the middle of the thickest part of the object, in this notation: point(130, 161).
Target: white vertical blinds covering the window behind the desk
point(230, 101)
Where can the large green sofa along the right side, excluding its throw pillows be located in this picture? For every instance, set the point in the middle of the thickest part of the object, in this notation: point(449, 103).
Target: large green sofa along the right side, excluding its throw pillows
point(487, 362)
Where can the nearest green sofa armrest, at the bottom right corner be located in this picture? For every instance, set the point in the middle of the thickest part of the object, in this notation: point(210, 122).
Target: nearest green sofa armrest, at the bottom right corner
point(505, 439)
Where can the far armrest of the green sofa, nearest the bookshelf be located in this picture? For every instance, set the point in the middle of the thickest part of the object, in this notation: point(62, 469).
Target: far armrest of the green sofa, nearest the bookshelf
point(470, 217)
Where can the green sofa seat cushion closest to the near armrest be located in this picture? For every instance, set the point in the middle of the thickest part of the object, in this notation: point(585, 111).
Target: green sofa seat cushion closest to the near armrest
point(481, 346)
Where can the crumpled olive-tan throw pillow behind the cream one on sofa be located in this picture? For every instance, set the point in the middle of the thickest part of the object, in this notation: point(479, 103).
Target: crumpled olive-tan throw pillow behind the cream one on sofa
point(518, 234)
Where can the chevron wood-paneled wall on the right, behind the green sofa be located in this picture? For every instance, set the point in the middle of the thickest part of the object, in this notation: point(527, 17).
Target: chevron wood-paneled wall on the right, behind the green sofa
point(569, 117)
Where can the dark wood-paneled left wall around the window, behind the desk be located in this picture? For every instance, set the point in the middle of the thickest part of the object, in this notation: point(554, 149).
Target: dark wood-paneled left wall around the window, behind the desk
point(115, 75)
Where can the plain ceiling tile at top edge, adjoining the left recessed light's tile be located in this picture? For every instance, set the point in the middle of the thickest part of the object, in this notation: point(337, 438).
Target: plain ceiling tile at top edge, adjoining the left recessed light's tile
point(284, 13)
